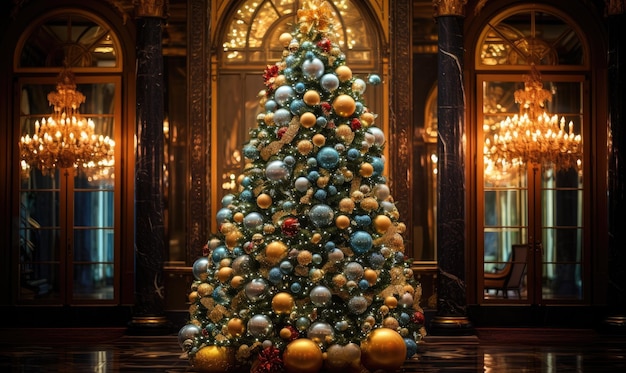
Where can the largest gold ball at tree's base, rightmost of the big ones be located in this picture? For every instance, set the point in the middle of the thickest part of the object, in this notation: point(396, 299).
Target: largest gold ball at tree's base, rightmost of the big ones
point(383, 349)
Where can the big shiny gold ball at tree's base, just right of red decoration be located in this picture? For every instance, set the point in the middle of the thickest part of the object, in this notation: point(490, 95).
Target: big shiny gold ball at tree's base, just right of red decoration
point(303, 356)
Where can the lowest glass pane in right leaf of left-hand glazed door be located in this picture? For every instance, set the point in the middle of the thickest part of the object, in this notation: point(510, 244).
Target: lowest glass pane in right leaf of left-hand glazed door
point(93, 281)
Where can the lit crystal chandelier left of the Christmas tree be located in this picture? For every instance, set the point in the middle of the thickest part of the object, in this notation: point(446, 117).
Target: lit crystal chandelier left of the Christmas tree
point(65, 139)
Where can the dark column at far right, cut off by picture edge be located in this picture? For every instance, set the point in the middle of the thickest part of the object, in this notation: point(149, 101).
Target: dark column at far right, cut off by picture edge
point(616, 293)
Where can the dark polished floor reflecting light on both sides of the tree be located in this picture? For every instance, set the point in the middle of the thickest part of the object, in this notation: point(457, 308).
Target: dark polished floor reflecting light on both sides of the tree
point(490, 350)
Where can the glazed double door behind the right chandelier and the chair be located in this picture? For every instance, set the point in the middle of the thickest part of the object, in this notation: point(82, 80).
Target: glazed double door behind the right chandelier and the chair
point(539, 205)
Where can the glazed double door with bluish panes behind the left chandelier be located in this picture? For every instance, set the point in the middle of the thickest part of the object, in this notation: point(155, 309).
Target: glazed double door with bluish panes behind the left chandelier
point(68, 247)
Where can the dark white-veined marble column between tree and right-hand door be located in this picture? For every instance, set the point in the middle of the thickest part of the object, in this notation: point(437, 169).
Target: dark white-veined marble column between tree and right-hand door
point(451, 317)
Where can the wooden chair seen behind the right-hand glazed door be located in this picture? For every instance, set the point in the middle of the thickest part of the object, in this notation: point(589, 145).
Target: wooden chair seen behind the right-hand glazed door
point(511, 276)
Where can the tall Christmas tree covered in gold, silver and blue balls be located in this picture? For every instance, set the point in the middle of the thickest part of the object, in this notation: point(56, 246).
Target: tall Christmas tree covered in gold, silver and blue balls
point(307, 272)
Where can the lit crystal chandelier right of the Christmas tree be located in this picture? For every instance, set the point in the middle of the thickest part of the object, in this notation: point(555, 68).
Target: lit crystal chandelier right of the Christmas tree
point(533, 136)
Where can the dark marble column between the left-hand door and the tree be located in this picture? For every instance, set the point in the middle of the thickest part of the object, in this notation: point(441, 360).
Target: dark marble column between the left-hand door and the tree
point(148, 310)
